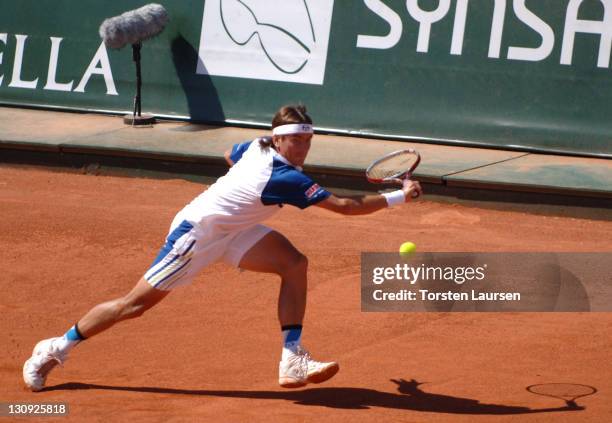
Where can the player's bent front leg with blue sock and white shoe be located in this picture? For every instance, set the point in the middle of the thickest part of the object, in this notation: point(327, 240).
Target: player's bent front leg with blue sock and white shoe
point(275, 254)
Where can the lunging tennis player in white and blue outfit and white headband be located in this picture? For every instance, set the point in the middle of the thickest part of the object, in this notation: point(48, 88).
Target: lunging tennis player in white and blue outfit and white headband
point(223, 223)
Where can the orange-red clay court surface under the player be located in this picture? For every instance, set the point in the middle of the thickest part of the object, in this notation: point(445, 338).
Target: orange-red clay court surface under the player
point(210, 351)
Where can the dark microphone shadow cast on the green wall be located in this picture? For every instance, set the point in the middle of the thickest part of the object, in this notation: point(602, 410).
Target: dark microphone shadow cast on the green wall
point(202, 98)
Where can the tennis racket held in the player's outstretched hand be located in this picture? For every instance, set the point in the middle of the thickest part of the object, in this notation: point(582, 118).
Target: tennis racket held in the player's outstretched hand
point(394, 168)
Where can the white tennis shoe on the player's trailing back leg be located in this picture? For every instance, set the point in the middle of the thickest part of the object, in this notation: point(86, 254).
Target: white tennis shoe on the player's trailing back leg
point(44, 358)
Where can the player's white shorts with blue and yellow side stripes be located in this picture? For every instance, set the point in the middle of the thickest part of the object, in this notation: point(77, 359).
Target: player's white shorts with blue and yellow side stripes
point(190, 248)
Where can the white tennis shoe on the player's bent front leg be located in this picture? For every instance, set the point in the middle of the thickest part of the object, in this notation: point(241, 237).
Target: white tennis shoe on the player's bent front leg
point(299, 369)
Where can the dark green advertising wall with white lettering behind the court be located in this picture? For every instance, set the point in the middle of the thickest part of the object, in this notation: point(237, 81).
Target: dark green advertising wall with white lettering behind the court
point(472, 98)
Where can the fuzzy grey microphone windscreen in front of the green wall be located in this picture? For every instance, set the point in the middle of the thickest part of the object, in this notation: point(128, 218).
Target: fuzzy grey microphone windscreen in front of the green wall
point(134, 26)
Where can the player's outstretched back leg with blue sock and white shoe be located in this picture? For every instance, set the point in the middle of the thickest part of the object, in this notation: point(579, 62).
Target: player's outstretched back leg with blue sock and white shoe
point(53, 351)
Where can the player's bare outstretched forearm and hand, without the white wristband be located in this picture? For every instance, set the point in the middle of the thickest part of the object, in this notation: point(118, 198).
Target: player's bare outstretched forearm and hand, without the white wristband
point(366, 204)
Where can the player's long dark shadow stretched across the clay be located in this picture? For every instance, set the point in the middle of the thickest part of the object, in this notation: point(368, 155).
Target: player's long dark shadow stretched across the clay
point(410, 397)
